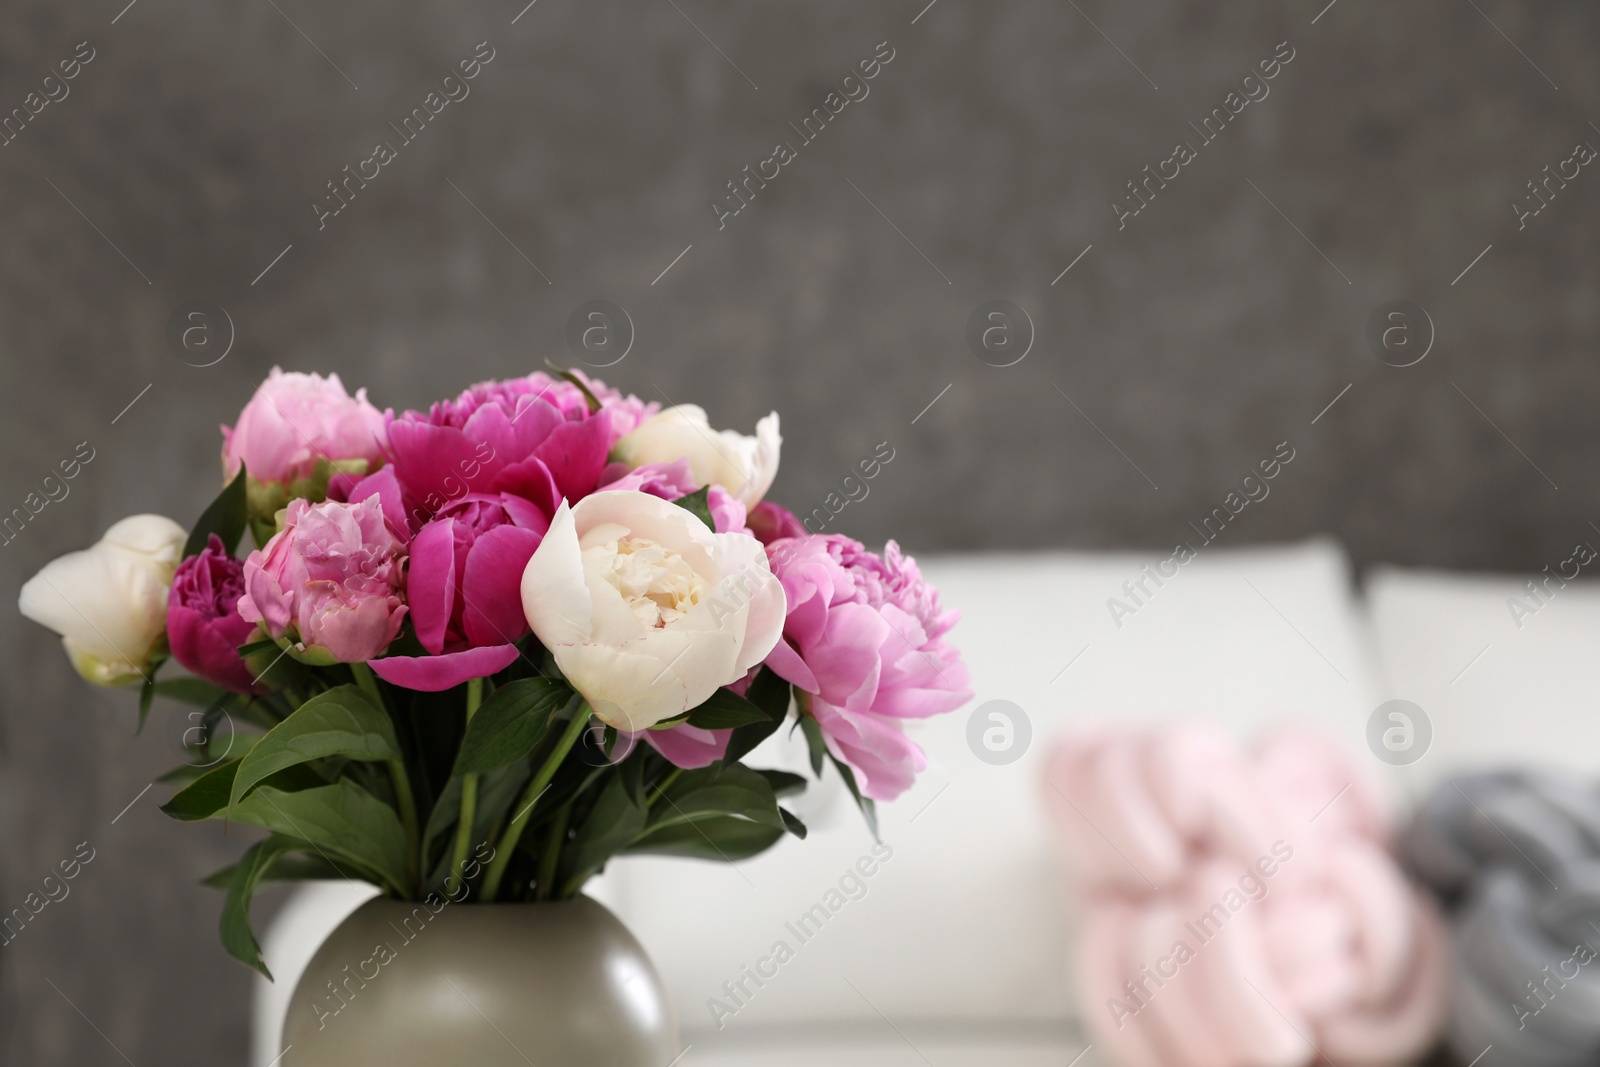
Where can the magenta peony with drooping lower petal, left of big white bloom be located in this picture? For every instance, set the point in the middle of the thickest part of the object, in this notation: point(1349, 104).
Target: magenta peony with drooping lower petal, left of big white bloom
point(465, 591)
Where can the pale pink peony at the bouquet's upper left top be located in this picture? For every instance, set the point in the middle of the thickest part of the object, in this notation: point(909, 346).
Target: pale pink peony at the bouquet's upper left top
point(295, 420)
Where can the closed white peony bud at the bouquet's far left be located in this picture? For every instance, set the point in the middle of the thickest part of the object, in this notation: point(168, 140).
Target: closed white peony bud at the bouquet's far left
point(110, 601)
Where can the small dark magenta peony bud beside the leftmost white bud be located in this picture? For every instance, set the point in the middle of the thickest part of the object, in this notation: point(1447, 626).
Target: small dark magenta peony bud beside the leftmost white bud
point(204, 626)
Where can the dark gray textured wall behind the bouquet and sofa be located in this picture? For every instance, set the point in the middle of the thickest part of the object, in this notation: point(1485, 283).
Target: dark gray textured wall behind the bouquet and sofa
point(1215, 326)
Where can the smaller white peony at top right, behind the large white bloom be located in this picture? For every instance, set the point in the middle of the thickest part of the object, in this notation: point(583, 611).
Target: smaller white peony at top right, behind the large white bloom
point(742, 465)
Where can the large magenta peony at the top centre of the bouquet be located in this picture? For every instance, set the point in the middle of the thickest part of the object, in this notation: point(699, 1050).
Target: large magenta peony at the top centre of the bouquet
point(534, 438)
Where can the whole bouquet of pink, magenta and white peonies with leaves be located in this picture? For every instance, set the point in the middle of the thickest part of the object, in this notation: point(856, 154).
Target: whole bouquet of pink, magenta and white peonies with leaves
point(484, 649)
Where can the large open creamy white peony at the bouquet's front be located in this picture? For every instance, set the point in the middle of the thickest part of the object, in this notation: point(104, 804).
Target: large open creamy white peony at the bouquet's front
point(646, 610)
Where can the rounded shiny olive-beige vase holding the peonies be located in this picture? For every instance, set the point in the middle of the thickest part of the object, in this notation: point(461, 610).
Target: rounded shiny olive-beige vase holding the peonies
point(409, 985)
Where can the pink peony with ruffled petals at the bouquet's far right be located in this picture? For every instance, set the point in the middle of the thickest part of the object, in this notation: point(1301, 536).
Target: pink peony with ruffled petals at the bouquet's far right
point(863, 637)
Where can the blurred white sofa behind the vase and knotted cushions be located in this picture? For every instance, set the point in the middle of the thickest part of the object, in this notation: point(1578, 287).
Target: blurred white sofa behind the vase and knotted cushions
point(958, 951)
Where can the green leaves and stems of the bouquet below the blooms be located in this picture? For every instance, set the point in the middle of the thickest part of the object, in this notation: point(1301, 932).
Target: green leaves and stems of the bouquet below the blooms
point(353, 778)
